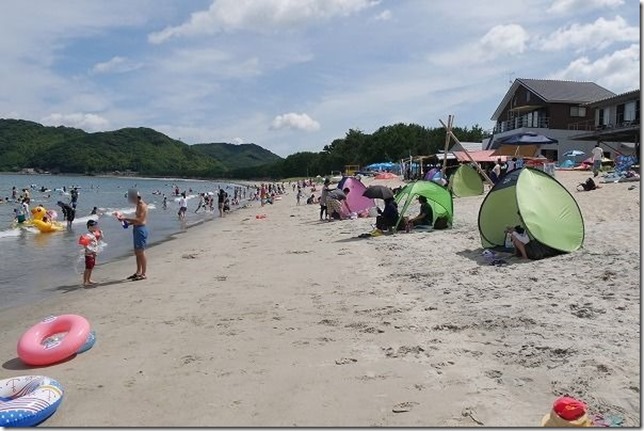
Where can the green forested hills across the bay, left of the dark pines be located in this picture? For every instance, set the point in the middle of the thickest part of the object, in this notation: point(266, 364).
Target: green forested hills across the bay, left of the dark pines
point(144, 151)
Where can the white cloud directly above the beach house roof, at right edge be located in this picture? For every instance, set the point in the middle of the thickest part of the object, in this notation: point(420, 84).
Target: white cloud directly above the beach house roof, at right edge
point(618, 71)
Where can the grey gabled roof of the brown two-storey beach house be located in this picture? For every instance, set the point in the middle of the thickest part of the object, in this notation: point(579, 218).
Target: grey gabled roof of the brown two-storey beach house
point(554, 91)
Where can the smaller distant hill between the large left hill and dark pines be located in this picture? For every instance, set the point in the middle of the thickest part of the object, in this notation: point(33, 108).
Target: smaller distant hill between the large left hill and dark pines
point(237, 156)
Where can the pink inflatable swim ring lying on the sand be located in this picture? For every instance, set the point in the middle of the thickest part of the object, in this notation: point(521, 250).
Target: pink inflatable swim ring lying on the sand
point(54, 339)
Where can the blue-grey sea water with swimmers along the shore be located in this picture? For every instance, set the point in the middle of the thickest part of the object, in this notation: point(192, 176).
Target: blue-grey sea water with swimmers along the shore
point(34, 265)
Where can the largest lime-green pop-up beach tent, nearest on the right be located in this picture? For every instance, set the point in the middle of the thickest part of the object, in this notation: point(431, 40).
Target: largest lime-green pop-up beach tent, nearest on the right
point(540, 204)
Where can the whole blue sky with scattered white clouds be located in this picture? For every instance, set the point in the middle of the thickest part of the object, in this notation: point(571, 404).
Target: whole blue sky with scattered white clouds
point(293, 75)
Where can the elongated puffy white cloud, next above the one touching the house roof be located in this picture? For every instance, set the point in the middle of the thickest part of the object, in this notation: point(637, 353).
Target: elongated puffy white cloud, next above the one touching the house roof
point(598, 35)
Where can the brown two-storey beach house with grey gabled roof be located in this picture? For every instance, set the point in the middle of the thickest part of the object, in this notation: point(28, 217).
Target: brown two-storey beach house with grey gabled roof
point(547, 107)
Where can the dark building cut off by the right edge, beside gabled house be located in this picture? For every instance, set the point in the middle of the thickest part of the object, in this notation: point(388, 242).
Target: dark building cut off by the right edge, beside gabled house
point(616, 124)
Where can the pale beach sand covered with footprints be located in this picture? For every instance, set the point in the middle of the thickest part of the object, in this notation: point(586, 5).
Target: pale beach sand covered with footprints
point(290, 321)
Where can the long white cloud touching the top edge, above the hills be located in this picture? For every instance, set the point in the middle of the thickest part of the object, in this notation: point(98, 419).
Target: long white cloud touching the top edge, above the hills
point(265, 15)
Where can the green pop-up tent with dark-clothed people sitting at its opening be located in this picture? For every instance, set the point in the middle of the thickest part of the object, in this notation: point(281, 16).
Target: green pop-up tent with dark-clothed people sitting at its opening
point(438, 197)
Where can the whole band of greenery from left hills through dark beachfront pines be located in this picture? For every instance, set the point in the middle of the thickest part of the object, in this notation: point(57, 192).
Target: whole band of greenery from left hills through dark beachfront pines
point(25, 144)
